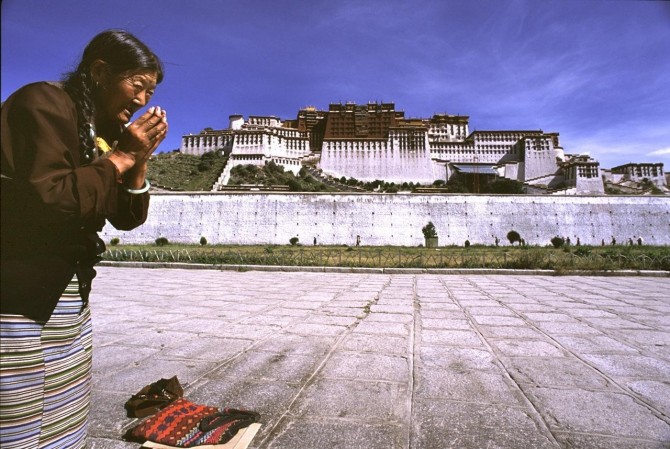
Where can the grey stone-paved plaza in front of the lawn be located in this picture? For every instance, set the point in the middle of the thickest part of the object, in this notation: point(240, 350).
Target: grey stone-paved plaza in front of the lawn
point(371, 360)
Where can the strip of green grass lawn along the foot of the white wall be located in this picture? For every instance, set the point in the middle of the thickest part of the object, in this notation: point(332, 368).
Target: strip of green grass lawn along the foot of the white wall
point(529, 257)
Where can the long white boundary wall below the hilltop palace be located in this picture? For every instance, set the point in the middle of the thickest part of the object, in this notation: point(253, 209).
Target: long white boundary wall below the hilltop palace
point(397, 219)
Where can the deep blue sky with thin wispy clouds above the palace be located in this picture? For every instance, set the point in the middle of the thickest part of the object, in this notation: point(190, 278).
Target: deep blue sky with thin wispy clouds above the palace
point(595, 71)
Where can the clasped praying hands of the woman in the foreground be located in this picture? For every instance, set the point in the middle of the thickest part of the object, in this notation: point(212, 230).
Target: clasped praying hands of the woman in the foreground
point(139, 140)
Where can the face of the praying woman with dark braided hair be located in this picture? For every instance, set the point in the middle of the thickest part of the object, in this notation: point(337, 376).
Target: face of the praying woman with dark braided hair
point(121, 96)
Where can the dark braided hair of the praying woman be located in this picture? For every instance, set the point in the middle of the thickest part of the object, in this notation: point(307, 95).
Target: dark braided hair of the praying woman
point(122, 52)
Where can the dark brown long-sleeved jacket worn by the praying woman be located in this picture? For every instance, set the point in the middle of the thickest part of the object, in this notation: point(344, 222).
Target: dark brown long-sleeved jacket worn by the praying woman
point(52, 206)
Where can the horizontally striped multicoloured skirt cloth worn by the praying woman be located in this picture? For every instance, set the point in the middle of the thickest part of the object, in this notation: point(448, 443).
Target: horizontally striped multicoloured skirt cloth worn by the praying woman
point(45, 377)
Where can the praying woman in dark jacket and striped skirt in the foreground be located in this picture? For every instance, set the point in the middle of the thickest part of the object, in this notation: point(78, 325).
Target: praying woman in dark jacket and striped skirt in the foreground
point(71, 159)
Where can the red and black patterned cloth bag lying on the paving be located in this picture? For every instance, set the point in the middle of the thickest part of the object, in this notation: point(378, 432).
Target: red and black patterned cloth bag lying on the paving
point(185, 424)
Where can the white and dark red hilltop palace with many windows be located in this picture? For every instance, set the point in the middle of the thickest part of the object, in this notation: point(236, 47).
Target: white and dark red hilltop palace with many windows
point(374, 141)
